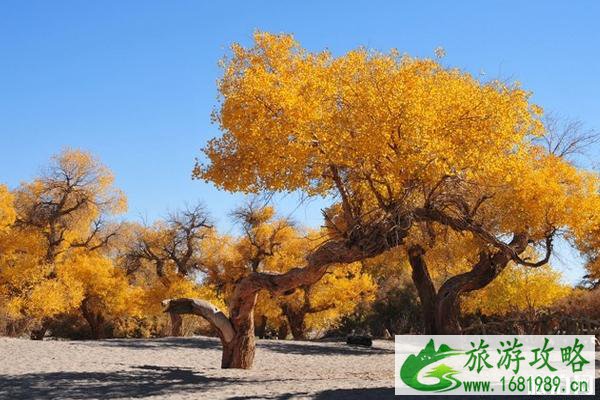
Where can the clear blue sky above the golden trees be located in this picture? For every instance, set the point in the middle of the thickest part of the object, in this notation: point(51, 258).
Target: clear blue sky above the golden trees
point(134, 81)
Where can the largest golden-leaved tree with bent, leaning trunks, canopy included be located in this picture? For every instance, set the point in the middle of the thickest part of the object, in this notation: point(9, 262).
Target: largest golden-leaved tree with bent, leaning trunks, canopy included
point(405, 146)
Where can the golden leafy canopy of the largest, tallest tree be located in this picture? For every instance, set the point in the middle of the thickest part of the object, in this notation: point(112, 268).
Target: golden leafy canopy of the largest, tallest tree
point(384, 131)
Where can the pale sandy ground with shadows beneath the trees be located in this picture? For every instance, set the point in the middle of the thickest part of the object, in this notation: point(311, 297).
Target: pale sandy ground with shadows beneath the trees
point(188, 368)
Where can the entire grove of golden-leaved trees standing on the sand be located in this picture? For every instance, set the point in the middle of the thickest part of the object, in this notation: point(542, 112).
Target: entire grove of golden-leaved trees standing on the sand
point(447, 193)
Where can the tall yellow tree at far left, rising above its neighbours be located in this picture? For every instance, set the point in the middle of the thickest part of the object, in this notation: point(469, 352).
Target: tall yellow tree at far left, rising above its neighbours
point(52, 261)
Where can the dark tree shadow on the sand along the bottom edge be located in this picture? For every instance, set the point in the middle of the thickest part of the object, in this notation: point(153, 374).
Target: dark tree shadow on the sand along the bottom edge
point(149, 380)
